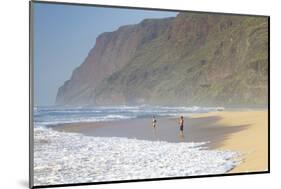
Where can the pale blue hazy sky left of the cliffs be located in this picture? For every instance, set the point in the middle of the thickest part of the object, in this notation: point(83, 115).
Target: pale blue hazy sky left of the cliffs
point(63, 36)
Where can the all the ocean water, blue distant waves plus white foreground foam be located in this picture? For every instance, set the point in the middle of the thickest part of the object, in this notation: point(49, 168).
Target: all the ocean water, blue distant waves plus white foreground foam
point(63, 158)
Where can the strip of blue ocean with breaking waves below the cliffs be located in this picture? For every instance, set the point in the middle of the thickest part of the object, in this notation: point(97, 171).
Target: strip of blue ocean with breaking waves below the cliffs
point(56, 115)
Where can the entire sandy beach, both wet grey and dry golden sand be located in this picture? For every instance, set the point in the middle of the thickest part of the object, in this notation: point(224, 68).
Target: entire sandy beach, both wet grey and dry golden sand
point(242, 131)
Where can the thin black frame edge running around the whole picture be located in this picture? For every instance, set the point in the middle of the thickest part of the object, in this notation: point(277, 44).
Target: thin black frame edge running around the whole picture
point(31, 87)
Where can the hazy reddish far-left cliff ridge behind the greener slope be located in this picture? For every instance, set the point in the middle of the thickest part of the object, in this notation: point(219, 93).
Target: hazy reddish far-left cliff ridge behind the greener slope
point(113, 50)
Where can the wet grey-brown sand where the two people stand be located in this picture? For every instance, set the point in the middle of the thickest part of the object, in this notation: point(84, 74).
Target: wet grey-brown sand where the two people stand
point(167, 129)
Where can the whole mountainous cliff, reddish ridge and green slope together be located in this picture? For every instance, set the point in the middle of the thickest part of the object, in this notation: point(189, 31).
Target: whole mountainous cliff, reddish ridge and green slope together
point(192, 59)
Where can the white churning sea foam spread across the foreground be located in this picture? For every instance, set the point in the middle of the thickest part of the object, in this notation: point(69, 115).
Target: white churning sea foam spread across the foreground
point(63, 158)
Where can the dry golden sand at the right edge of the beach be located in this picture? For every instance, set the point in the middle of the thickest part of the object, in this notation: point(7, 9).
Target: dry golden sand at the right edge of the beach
point(251, 141)
